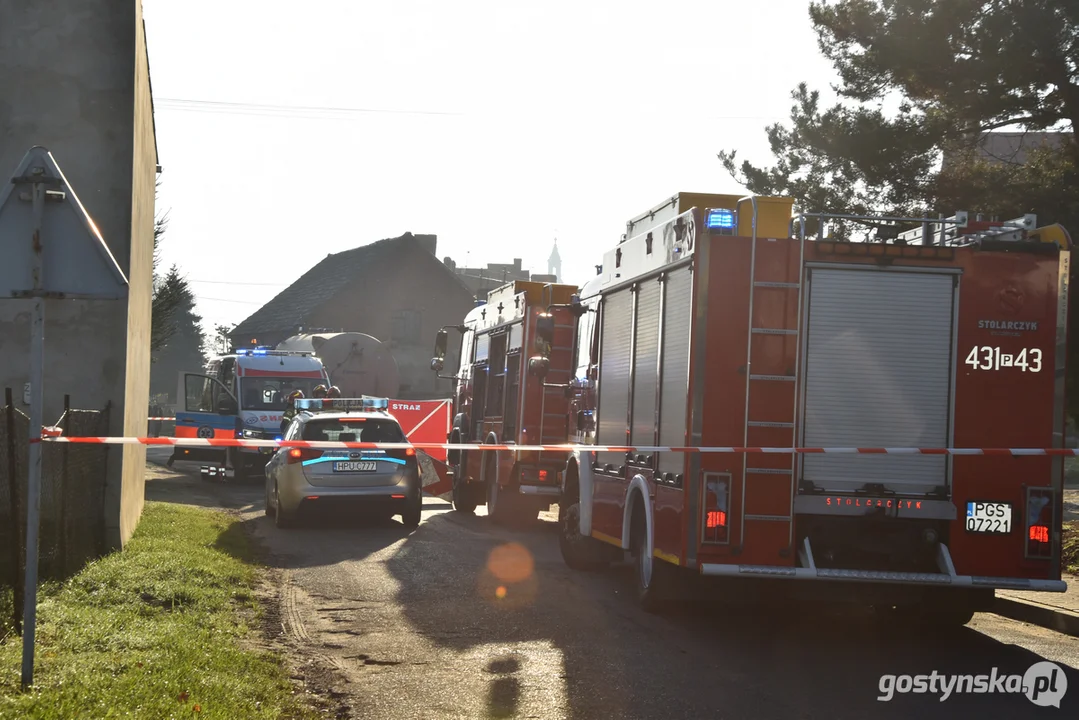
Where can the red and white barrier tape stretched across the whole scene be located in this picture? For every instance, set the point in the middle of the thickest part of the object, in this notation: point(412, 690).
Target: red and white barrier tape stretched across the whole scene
point(237, 443)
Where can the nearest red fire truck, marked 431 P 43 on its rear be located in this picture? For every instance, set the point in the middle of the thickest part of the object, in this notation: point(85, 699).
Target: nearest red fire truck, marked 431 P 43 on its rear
point(719, 324)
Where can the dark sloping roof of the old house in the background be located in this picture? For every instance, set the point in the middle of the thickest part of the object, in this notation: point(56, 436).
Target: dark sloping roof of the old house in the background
point(321, 284)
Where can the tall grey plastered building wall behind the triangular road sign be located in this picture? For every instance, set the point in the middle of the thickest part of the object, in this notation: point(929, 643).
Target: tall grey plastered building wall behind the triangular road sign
point(74, 78)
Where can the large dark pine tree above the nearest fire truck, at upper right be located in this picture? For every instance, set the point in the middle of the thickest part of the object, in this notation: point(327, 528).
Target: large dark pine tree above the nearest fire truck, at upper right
point(954, 71)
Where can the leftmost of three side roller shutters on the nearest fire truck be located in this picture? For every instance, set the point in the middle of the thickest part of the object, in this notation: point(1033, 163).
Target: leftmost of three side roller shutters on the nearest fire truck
point(616, 339)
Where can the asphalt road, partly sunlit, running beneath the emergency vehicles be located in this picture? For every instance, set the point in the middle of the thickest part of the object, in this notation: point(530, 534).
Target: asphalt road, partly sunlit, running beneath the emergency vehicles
point(461, 619)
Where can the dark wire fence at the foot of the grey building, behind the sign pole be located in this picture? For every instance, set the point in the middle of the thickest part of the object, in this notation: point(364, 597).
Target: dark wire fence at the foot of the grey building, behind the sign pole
point(73, 496)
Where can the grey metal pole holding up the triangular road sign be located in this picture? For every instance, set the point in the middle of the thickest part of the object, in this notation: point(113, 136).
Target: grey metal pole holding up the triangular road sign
point(34, 481)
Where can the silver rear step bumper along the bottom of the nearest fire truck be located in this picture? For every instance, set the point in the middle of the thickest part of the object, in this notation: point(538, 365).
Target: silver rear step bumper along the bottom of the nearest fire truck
point(948, 577)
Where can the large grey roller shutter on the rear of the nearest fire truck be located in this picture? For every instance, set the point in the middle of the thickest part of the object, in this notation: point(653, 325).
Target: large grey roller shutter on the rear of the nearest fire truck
point(878, 374)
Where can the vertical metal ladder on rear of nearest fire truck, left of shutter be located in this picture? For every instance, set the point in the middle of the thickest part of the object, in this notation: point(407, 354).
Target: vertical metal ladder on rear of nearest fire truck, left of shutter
point(753, 378)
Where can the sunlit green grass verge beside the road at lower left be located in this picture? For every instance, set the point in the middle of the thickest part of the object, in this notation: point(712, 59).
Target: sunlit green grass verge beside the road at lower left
point(161, 630)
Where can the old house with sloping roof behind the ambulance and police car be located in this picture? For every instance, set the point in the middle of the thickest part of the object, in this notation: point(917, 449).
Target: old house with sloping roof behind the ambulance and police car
point(394, 290)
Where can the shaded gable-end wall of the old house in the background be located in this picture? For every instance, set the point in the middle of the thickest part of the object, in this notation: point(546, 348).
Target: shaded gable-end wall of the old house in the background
point(414, 281)
